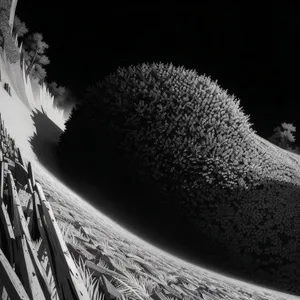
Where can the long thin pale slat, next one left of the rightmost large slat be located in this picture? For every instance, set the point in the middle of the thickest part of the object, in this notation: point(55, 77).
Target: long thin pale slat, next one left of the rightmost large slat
point(21, 225)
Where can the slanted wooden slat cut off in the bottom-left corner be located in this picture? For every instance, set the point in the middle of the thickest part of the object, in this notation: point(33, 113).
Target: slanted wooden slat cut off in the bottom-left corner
point(11, 281)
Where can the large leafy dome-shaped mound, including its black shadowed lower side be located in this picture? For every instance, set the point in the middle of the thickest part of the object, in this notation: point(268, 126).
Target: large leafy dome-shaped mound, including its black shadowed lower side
point(181, 148)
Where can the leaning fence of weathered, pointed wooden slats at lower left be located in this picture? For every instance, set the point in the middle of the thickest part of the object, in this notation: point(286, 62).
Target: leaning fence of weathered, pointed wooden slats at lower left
point(22, 274)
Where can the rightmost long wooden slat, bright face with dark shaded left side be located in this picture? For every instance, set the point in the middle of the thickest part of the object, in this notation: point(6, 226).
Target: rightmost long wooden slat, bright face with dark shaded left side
point(70, 285)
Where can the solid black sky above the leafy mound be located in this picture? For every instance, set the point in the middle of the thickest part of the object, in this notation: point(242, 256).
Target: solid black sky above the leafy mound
point(251, 51)
